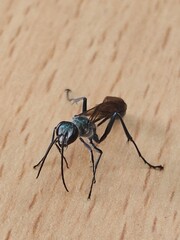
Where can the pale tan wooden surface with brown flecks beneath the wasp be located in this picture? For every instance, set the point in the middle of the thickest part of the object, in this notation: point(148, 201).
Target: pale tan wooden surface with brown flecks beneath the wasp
point(97, 48)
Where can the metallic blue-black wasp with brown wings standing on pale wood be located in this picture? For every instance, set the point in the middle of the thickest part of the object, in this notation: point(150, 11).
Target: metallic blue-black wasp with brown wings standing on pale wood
point(83, 126)
